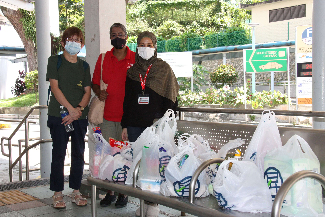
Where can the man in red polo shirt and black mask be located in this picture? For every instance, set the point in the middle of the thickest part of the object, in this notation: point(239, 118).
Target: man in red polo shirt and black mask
point(115, 65)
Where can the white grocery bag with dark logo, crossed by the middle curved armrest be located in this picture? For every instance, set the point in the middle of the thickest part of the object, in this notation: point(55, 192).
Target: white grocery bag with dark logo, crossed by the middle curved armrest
point(179, 173)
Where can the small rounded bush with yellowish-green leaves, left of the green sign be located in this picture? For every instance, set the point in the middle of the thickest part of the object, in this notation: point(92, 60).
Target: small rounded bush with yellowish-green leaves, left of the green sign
point(224, 74)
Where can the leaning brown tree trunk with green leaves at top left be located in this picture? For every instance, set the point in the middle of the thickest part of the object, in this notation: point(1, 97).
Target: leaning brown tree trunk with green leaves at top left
point(18, 20)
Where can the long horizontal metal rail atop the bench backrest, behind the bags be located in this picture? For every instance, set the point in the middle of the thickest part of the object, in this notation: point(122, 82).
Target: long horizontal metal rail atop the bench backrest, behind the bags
point(252, 111)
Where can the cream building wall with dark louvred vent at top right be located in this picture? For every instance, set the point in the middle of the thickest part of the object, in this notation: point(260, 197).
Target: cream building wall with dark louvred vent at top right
point(280, 30)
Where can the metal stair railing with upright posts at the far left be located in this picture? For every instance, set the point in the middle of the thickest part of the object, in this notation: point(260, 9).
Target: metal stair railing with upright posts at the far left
point(26, 122)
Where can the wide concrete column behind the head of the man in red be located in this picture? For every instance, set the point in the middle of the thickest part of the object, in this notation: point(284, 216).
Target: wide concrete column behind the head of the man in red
point(99, 16)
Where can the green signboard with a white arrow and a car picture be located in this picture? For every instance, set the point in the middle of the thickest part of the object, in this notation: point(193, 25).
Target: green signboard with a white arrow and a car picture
point(266, 60)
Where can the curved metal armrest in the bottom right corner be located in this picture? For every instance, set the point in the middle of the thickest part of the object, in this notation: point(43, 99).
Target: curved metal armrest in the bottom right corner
point(288, 183)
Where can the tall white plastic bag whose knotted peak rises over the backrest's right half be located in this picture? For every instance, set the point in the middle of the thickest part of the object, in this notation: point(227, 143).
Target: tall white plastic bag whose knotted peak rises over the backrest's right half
point(265, 139)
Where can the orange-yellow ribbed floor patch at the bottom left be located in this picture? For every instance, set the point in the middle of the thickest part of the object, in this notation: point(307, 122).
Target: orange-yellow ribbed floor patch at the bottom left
point(14, 196)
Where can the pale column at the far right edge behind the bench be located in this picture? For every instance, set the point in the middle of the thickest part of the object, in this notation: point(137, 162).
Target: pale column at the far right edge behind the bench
point(318, 61)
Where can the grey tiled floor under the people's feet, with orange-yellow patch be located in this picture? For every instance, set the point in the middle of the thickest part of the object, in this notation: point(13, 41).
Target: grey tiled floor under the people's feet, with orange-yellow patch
point(37, 201)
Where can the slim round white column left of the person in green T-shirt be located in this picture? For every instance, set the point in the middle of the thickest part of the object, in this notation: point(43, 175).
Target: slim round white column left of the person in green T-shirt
point(43, 52)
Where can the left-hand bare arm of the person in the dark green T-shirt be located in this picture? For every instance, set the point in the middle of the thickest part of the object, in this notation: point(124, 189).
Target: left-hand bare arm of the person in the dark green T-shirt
point(74, 113)
